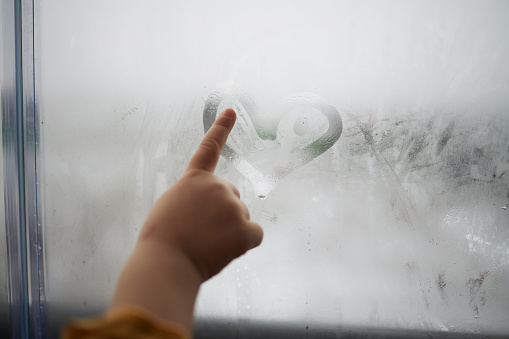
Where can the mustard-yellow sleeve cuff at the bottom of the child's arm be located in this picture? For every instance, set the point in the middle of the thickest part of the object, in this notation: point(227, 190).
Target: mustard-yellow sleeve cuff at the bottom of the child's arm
point(126, 323)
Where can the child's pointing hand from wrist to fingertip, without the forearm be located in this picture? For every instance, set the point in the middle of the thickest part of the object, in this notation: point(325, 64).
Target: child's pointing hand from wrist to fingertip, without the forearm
point(202, 215)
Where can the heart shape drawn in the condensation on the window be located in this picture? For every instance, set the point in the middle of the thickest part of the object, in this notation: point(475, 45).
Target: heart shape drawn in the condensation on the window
point(267, 146)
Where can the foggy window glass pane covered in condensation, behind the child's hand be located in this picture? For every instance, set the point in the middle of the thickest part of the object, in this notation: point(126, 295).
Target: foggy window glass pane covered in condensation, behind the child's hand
point(400, 224)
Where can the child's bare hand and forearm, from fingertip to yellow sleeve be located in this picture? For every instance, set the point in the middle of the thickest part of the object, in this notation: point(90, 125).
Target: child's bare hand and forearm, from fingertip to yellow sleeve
point(191, 233)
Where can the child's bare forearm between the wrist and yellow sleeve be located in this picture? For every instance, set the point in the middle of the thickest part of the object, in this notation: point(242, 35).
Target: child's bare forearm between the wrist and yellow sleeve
point(161, 280)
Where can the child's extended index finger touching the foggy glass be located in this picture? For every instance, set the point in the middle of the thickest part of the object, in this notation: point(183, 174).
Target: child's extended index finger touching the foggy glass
point(209, 150)
